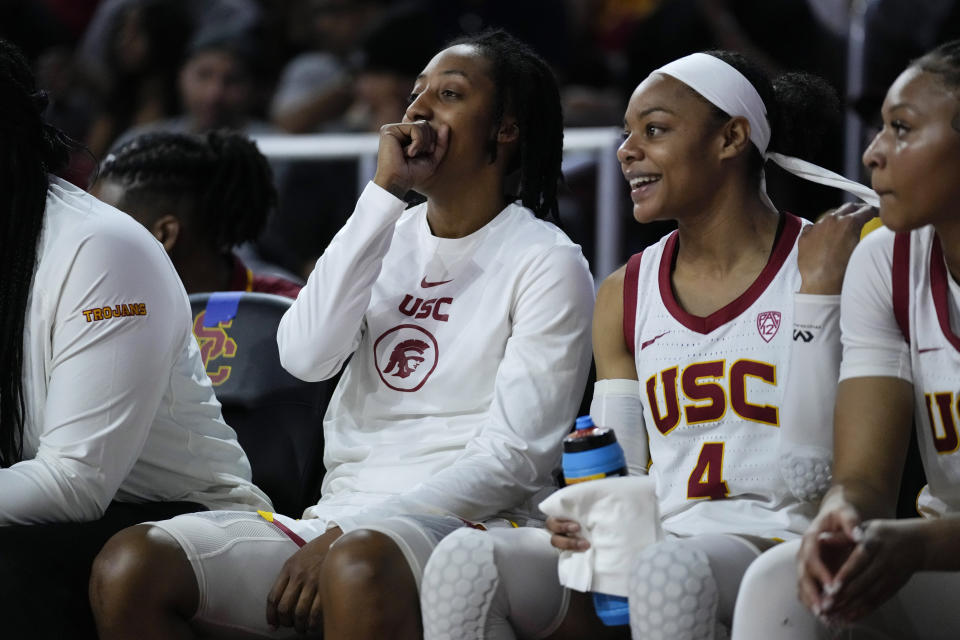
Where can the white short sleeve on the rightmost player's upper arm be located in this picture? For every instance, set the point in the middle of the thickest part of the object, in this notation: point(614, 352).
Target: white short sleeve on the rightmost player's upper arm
point(873, 344)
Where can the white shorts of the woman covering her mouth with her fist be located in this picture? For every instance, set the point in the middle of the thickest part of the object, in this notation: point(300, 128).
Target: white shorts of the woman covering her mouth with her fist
point(237, 555)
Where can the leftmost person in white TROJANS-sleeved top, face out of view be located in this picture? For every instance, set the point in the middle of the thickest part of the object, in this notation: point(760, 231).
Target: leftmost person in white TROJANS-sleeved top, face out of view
point(106, 415)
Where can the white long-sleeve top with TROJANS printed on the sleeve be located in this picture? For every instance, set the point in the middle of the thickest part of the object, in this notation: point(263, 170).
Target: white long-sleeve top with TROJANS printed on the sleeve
point(118, 405)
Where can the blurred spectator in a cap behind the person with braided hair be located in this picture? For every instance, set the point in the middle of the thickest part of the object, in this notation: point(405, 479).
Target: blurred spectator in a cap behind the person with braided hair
point(218, 85)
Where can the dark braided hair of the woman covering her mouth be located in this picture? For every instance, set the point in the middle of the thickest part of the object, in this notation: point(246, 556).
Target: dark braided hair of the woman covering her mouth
point(526, 88)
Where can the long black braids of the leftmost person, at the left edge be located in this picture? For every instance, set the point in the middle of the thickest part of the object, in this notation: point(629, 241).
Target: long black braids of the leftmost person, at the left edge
point(30, 149)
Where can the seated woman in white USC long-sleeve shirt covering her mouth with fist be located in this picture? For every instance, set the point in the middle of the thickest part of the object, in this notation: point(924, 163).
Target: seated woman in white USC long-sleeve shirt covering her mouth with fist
point(467, 322)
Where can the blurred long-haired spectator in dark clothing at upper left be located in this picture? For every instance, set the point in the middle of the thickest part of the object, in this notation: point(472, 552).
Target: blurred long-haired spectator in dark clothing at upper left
point(145, 48)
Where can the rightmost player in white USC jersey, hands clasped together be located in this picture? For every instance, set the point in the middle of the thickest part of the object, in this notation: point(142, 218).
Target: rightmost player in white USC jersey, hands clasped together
point(862, 573)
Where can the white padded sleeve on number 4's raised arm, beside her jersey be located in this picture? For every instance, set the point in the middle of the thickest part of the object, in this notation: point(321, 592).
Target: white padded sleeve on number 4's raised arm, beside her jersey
point(806, 426)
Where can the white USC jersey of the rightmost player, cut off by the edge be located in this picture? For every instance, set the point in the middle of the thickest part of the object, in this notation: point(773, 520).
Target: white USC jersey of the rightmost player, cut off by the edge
point(924, 298)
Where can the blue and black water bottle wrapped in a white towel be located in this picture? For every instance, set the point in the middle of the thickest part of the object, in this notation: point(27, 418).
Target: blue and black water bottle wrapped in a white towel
point(591, 453)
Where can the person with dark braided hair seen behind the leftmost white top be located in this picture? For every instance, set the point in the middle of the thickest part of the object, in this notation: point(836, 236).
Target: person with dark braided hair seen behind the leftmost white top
point(200, 196)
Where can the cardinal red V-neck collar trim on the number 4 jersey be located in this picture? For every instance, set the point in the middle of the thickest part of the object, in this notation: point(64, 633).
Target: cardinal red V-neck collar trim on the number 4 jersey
point(782, 247)
